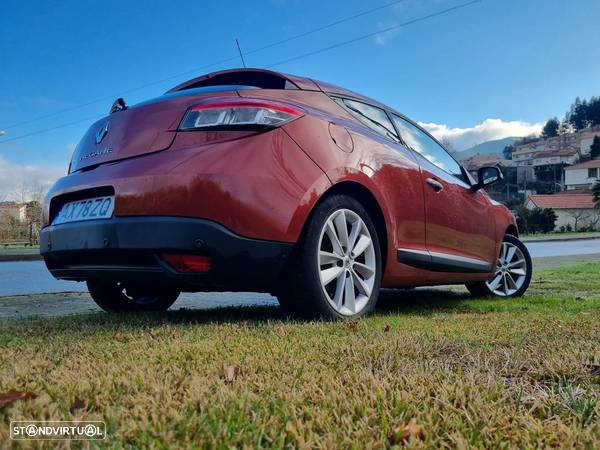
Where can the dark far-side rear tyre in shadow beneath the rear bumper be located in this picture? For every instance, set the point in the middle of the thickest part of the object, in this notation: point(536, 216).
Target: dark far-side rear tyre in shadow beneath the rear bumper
point(115, 297)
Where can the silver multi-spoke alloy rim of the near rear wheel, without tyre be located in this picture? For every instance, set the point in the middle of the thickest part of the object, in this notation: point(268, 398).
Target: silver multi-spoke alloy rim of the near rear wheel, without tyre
point(346, 262)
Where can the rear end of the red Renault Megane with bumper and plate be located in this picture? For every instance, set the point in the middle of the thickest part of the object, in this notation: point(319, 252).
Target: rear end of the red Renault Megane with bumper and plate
point(199, 188)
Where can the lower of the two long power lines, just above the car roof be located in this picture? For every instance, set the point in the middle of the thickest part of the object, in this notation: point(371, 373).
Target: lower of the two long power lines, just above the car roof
point(295, 58)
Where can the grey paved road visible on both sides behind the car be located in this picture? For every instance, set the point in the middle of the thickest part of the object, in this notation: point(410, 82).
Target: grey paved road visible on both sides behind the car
point(31, 277)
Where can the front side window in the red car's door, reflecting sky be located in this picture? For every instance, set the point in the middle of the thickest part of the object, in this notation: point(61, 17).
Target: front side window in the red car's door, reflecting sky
point(421, 143)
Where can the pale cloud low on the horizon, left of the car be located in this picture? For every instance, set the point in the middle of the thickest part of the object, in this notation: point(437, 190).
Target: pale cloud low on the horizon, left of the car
point(17, 179)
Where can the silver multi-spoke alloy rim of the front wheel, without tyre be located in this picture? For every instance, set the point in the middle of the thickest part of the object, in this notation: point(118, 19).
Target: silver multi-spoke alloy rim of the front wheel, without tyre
point(511, 271)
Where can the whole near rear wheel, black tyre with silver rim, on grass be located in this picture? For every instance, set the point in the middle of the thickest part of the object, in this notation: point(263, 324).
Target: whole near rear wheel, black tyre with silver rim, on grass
point(335, 271)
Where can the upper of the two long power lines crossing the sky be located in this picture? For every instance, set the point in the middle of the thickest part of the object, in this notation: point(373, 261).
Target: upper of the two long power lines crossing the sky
point(233, 58)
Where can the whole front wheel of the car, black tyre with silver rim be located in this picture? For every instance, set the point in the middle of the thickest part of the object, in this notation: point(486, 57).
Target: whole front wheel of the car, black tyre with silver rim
point(512, 275)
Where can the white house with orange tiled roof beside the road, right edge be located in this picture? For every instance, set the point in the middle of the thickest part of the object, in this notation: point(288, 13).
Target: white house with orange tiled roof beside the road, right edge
point(572, 208)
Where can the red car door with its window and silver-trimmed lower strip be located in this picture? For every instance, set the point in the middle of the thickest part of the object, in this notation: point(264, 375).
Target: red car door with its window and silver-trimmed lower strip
point(459, 230)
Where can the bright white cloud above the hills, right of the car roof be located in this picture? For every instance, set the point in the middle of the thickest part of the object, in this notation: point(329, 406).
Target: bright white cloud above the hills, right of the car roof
point(488, 130)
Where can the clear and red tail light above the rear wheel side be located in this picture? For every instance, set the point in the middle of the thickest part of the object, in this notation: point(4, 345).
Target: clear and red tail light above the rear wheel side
point(239, 114)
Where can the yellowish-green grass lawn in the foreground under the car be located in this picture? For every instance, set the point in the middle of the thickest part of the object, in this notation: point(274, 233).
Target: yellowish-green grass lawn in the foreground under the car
point(521, 373)
